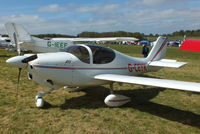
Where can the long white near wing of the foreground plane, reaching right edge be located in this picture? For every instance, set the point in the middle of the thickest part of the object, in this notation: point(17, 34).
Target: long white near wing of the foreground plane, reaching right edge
point(181, 85)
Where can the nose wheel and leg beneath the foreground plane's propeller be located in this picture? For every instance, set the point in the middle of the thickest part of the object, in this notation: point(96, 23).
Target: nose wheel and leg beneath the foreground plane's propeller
point(39, 99)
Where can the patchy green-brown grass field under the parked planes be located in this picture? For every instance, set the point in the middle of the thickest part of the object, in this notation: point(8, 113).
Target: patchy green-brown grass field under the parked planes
point(152, 110)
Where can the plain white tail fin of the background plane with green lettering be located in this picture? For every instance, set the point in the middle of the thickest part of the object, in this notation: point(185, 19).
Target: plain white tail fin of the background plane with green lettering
point(21, 34)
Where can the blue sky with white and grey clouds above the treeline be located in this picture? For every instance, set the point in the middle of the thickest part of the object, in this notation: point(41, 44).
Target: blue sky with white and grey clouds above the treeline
point(75, 16)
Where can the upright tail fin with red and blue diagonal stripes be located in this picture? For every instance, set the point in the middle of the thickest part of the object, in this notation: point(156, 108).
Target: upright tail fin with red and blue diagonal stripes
point(158, 51)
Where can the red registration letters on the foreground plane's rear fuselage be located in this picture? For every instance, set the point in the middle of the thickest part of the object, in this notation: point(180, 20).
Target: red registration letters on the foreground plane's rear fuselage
point(137, 67)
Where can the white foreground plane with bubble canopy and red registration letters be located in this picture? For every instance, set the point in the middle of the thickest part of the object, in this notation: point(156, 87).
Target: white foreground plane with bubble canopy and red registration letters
point(91, 65)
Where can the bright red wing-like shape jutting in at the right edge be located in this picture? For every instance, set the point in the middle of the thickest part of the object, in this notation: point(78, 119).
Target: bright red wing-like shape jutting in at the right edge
point(191, 45)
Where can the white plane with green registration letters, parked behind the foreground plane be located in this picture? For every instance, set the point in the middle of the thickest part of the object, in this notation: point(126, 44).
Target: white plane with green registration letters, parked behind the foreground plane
point(28, 42)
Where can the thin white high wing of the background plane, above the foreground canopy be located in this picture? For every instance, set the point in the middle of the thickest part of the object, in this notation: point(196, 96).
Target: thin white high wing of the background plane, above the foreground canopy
point(98, 39)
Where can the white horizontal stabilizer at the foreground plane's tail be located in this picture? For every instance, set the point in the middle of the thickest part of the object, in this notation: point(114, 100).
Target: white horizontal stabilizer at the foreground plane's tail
point(167, 63)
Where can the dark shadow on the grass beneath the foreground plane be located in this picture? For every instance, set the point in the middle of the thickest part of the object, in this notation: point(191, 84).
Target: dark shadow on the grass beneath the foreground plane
point(140, 101)
